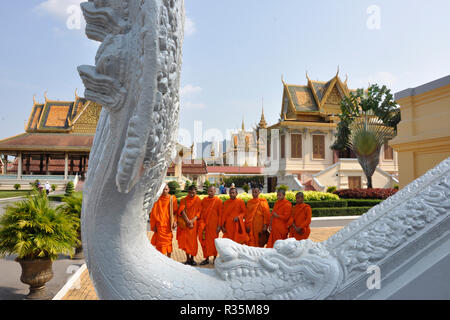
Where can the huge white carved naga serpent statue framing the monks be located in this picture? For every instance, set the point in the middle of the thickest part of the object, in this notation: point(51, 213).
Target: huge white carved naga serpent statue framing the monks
point(136, 79)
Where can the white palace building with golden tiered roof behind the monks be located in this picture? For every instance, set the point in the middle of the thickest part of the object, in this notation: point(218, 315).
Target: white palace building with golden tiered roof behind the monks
point(299, 144)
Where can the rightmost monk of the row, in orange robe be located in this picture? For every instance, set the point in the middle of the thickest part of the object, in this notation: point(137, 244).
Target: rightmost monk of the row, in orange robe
point(300, 219)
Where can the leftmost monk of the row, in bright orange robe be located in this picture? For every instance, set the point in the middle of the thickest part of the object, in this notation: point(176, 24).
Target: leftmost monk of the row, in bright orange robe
point(162, 222)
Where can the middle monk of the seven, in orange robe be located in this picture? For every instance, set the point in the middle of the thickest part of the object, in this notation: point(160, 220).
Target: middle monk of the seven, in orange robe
point(234, 213)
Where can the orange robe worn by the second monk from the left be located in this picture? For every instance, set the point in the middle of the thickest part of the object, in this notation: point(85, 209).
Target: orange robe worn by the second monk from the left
point(187, 237)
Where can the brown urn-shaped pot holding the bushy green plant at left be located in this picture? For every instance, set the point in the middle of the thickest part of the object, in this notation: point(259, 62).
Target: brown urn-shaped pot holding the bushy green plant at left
point(36, 273)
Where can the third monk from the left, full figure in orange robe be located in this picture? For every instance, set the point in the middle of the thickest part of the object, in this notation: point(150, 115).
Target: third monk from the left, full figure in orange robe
point(209, 224)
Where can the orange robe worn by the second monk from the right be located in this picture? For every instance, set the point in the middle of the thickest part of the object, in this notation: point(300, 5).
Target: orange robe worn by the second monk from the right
point(280, 227)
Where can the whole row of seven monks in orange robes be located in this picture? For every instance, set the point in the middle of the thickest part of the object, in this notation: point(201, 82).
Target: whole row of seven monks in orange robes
point(251, 224)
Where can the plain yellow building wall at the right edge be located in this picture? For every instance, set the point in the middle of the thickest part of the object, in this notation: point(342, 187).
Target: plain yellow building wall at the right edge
point(423, 139)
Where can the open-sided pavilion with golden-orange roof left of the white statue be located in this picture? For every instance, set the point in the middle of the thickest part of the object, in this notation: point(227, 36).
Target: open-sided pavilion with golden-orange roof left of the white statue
point(56, 144)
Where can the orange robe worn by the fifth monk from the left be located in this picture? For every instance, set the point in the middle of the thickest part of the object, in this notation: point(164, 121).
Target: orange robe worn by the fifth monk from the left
point(258, 216)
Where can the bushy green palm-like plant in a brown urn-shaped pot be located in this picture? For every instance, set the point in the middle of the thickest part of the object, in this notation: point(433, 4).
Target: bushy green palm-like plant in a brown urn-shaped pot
point(37, 234)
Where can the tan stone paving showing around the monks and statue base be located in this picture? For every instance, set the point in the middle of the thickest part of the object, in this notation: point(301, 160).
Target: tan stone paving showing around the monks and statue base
point(86, 290)
